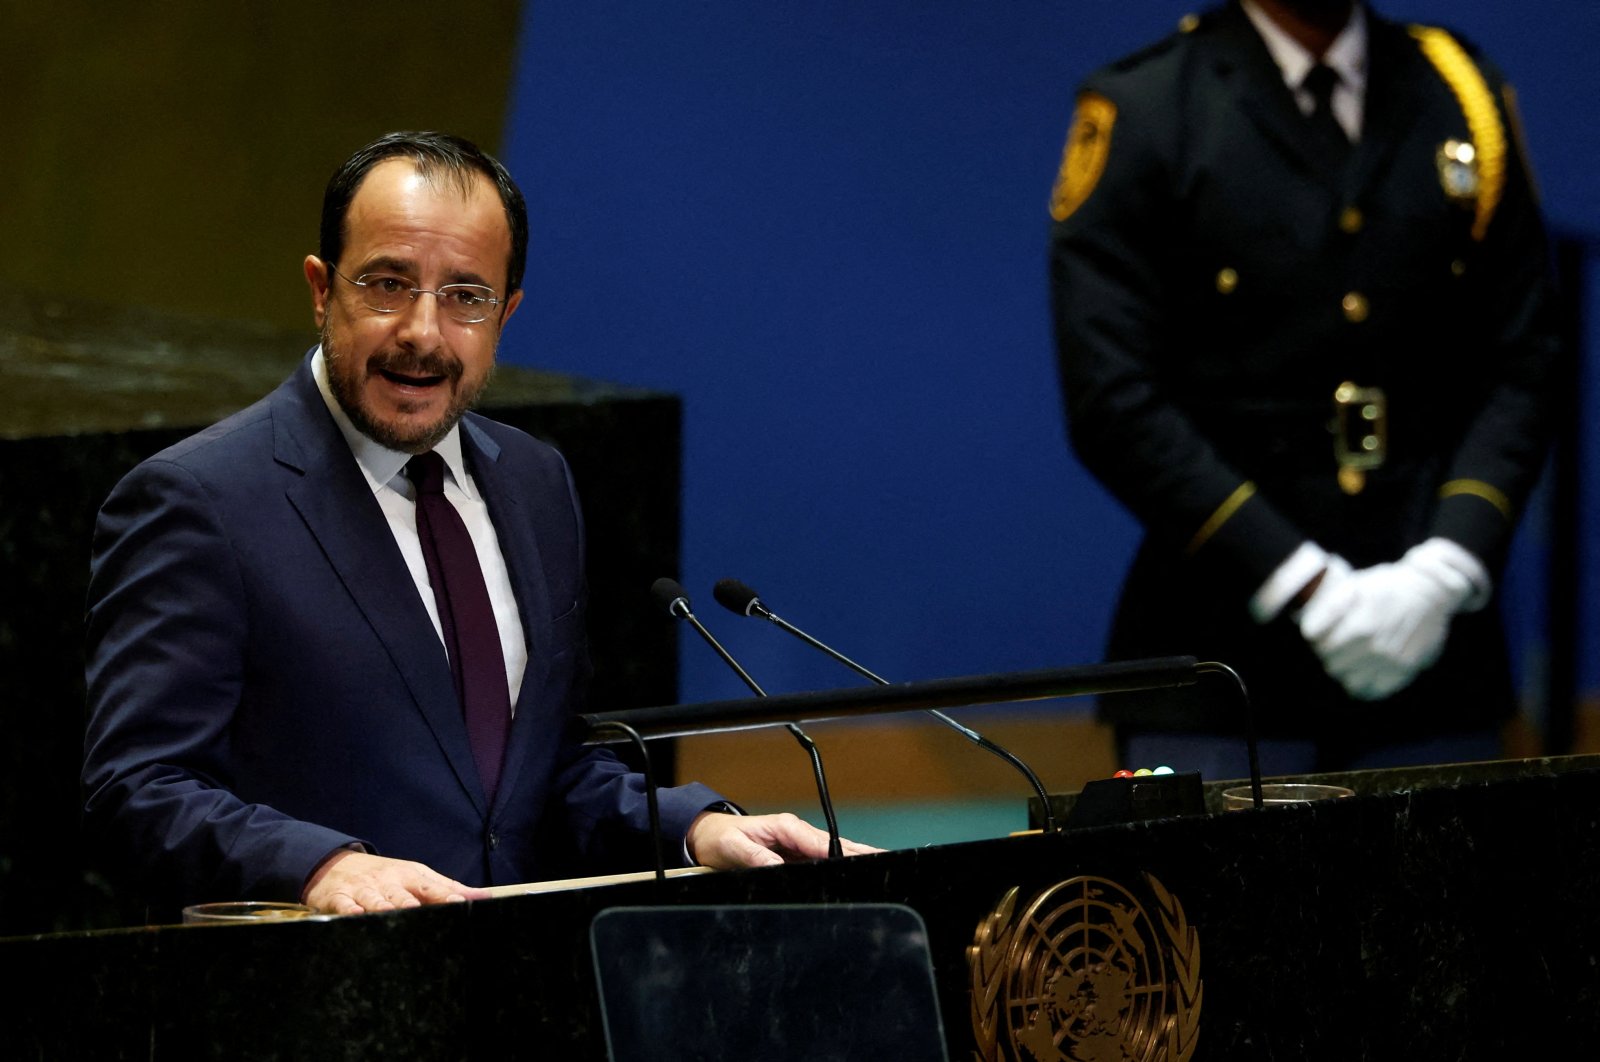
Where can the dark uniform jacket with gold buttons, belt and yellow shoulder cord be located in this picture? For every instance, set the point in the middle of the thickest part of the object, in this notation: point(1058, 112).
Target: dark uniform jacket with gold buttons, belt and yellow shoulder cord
point(1214, 287)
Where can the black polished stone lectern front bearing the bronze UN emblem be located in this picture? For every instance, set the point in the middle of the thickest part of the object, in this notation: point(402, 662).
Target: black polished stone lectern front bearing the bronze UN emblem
point(1438, 914)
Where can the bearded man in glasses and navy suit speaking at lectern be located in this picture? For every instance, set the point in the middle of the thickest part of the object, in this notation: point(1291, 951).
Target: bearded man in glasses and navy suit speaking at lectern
point(273, 708)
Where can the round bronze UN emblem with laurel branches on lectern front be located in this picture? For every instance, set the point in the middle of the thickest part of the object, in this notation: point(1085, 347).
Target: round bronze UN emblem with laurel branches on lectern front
point(1087, 973)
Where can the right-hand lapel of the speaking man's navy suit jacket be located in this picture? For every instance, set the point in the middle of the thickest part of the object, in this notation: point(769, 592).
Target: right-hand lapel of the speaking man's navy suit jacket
point(508, 505)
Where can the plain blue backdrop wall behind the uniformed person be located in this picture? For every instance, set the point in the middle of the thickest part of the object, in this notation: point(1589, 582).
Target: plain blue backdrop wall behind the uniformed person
point(825, 226)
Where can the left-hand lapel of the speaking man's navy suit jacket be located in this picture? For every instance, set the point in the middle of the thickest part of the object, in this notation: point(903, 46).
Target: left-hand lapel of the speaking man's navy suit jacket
point(338, 508)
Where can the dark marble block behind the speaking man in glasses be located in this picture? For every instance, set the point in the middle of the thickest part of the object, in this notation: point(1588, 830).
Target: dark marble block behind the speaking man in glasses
point(94, 389)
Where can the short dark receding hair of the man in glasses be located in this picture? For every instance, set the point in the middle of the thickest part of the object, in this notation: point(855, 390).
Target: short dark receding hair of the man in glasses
point(433, 154)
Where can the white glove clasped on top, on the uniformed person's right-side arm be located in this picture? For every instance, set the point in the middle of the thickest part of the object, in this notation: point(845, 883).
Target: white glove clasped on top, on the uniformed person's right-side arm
point(1386, 625)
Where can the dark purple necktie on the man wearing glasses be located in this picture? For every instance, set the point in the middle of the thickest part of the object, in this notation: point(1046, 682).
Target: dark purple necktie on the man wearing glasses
point(466, 617)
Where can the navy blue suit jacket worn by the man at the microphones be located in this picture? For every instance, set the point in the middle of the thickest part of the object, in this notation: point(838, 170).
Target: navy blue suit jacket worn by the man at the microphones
point(266, 685)
